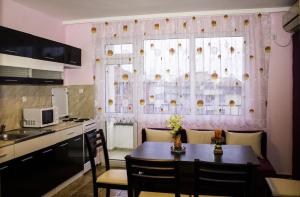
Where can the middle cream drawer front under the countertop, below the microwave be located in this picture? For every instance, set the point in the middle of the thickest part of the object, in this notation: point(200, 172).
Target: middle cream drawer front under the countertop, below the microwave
point(35, 144)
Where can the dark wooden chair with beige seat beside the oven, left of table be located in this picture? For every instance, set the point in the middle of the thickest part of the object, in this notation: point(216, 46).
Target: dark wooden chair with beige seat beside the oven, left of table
point(111, 178)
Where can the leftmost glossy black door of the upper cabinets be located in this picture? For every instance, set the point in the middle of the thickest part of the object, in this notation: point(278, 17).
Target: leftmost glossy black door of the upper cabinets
point(14, 42)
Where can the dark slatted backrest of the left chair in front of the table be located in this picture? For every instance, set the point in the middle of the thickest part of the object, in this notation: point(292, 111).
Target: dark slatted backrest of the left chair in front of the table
point(152, 175)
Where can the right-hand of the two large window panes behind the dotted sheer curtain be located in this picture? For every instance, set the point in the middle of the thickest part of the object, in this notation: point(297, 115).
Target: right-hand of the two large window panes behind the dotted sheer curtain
point(218, 77)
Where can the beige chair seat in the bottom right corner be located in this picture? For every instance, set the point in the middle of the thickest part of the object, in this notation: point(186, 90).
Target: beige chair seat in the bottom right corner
point(284, 187)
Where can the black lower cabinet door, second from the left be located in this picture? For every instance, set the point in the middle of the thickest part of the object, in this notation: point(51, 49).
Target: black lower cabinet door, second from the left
point(27, 176)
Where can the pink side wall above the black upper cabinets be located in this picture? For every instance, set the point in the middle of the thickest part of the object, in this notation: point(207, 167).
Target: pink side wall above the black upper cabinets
point(17, 16)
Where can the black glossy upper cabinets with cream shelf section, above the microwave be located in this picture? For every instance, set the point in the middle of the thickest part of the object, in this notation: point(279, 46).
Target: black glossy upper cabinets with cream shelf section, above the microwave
point(29, 59)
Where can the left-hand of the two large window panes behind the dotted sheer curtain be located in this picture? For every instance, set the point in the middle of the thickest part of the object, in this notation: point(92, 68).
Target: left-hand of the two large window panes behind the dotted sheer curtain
point(167, 76)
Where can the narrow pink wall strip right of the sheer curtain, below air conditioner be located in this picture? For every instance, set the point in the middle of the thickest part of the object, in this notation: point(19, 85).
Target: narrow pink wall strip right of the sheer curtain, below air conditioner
point(280, 100)
